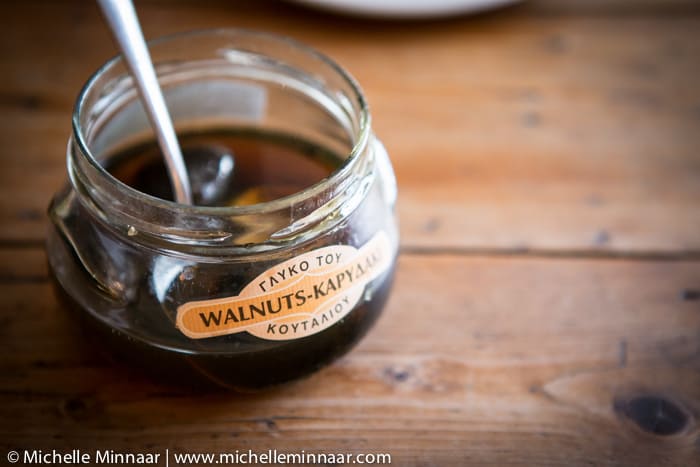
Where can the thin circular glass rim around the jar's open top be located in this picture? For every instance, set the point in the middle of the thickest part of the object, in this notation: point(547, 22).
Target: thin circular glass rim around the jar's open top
point(361, 138)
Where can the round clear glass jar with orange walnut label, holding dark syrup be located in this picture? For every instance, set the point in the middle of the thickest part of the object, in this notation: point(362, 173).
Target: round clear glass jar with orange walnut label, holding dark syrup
point(242, 296)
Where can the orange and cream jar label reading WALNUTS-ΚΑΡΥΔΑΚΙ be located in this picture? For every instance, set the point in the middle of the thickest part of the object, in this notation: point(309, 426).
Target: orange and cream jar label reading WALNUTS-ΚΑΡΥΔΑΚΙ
point(296, 298)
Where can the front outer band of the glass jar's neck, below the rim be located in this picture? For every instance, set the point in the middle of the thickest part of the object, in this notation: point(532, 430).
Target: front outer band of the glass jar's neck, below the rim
point(266, 226)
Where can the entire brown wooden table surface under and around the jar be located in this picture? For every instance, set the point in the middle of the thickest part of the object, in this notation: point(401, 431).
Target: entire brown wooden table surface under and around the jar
point(547, 304)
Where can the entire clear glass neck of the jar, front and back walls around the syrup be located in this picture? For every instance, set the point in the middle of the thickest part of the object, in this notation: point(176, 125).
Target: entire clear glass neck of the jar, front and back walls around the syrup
point(276, 83)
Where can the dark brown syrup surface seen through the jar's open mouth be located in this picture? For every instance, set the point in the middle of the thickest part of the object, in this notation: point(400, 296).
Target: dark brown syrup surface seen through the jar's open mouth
point(251, 167)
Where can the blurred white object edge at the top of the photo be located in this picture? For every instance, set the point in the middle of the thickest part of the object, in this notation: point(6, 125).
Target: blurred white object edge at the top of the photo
point(407, 8)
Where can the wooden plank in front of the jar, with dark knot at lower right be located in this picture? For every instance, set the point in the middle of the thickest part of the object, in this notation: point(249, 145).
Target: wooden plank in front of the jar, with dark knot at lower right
point(539, 362)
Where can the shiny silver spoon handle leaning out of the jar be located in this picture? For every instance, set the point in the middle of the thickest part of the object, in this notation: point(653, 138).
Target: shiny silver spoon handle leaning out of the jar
point(122, 19)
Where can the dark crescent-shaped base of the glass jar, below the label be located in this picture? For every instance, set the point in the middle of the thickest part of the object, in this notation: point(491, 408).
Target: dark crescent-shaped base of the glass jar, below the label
point(245, 372)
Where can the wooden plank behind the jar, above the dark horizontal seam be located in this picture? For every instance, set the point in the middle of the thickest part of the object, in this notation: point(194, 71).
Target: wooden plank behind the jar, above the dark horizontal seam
point(548, 133)
